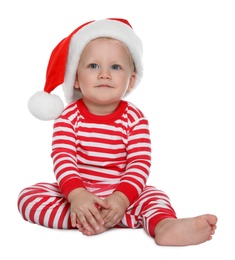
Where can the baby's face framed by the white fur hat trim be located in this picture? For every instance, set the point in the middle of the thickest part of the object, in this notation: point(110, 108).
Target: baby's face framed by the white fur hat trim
point(105, 71)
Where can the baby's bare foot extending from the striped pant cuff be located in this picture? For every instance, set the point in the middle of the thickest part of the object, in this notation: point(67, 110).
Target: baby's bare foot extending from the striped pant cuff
point(185, 232)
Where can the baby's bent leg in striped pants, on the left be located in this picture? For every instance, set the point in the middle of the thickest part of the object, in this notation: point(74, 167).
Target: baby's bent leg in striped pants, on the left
point(43, 204)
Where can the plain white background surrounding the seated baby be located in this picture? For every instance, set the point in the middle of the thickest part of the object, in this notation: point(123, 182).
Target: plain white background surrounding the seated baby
point(188, 95)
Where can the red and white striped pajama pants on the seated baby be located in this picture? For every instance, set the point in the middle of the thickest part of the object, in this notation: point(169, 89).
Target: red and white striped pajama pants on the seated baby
point(43, 204)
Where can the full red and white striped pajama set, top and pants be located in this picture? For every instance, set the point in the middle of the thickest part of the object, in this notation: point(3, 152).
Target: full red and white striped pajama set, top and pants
point(102, 154)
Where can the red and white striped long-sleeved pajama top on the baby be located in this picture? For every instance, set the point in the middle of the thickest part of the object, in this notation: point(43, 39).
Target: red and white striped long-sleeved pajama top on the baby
point(102, 153)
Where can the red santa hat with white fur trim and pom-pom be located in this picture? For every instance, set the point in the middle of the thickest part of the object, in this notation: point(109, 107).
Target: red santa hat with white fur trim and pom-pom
point(64, 60)
